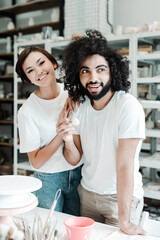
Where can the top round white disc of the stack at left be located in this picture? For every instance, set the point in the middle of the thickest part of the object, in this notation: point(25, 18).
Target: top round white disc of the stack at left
point(17, 184)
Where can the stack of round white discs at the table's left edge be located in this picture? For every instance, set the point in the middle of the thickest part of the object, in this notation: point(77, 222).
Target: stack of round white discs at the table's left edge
point(15, 194)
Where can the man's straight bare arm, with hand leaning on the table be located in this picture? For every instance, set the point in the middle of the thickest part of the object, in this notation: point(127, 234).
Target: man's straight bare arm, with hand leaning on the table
point(125, 183)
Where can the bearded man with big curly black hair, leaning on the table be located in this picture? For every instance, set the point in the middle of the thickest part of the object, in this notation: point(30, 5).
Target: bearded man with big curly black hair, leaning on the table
point(109, 135)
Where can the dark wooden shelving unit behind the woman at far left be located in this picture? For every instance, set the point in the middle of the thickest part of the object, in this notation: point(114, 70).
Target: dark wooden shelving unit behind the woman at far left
point(6, 124)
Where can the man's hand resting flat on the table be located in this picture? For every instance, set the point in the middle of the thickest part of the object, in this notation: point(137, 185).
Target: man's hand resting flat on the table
point(132, 229)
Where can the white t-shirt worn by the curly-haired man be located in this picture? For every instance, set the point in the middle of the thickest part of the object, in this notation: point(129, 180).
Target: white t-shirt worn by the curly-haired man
point(99, 130)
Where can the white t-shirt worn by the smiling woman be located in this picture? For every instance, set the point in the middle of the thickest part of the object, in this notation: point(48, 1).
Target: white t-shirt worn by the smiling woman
point(37, 119)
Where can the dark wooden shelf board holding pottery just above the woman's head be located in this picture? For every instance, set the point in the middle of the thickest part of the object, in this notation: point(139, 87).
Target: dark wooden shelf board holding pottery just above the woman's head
point(29, 30)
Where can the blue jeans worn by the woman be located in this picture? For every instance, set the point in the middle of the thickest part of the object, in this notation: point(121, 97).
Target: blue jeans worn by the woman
point(68, 182)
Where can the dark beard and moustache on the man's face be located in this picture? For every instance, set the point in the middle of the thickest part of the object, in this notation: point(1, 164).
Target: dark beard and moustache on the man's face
point(98, 96)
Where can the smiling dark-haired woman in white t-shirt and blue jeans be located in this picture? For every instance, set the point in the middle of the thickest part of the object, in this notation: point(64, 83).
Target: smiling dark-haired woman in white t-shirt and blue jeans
point(37, 120)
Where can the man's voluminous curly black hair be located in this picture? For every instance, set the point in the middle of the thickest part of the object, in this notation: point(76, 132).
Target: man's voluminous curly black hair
point(79, 49)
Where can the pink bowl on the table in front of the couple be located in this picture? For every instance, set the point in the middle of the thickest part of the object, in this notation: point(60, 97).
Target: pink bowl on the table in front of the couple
point(79, 228)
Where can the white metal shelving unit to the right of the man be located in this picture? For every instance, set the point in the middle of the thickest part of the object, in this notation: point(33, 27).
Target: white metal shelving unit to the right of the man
point(151, 105)
